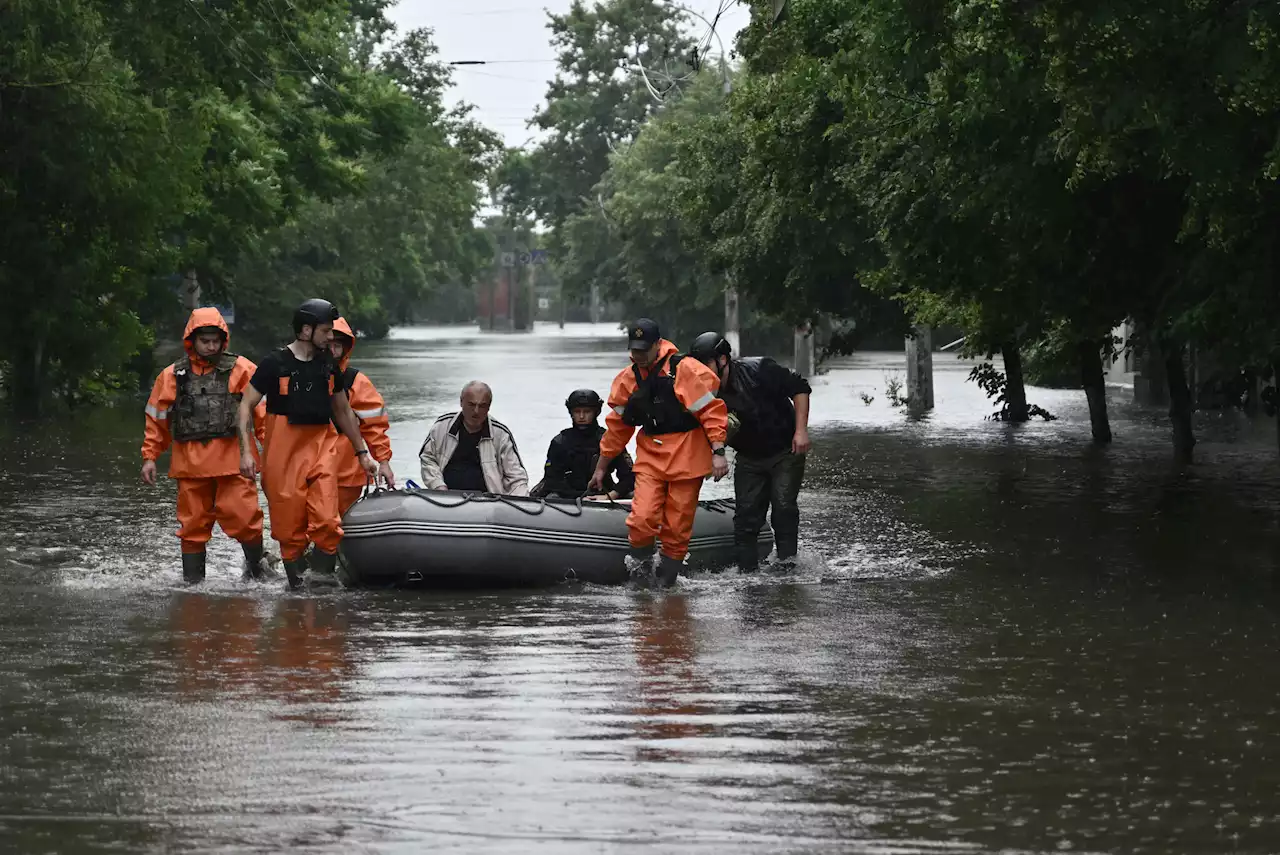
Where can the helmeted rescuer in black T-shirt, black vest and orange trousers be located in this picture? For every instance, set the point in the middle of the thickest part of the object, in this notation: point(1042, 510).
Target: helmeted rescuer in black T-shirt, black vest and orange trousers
point(303, 387)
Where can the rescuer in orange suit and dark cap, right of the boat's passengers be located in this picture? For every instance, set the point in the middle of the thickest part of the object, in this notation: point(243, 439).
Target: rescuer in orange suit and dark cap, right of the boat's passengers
point(673, 400)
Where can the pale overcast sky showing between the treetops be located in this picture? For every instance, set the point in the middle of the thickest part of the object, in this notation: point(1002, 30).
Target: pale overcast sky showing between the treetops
point(513, 36)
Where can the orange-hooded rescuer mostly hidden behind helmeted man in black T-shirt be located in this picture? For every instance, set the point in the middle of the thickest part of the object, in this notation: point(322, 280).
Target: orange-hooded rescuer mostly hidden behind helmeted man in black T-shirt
point(371, 410)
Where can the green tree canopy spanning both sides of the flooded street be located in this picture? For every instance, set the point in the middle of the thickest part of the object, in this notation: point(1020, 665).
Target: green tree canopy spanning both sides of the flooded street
point(1032, 173)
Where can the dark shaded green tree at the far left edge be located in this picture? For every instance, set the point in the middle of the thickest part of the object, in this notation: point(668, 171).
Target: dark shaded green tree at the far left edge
point(92, 175)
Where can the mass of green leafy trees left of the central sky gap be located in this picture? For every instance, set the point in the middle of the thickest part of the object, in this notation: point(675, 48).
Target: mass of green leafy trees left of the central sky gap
point(269, 148)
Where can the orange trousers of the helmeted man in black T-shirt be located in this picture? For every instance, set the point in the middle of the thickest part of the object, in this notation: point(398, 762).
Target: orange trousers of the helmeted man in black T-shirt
point(301, 487)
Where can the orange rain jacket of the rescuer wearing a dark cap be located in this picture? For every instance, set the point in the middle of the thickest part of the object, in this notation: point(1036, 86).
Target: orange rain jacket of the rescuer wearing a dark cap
point(679, 456)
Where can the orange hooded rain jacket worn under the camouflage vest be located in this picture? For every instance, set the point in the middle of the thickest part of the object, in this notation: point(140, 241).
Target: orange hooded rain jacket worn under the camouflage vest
point(218, 458)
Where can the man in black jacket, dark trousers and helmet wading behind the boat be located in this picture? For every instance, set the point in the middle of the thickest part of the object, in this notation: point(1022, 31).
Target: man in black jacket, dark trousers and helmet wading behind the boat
point(771, 408)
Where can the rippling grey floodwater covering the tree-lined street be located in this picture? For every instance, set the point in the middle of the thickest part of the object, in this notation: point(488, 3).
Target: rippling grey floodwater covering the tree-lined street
point(999, 641)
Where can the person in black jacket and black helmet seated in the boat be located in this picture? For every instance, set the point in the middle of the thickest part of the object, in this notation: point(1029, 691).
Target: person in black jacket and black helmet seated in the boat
point(574, 452)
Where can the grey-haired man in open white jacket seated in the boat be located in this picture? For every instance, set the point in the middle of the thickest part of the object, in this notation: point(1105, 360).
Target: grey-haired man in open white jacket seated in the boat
point(469, 451)
